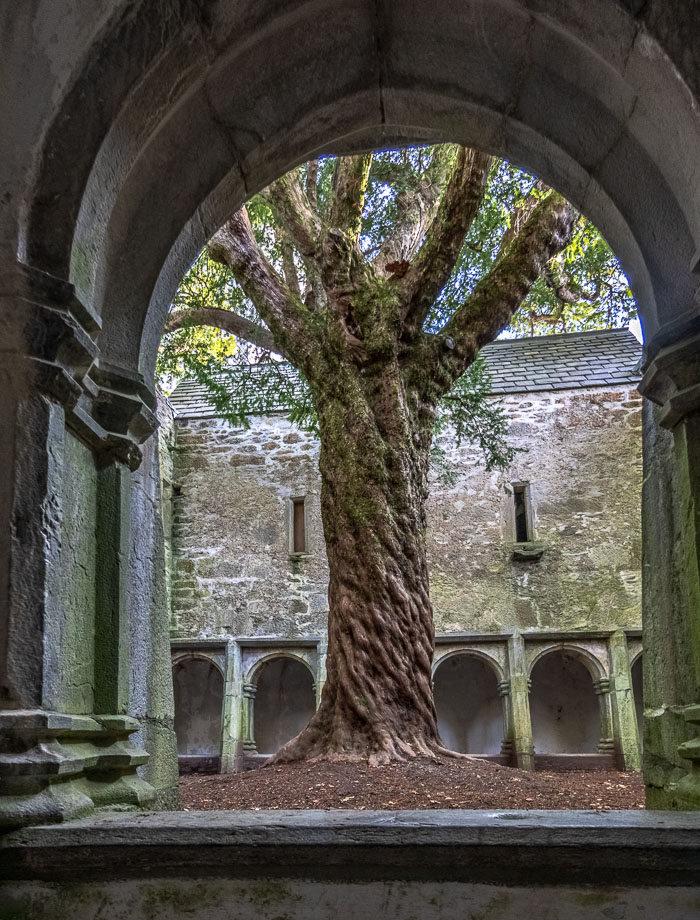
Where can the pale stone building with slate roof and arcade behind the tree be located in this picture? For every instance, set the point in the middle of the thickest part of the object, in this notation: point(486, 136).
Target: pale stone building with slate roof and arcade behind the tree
point(535, 574)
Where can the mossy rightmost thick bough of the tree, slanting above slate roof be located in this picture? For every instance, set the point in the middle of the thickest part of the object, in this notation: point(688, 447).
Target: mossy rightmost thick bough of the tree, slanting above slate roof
point(500, 293)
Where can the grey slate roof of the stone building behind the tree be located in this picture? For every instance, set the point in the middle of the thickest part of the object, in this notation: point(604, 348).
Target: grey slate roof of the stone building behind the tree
point(611, 357)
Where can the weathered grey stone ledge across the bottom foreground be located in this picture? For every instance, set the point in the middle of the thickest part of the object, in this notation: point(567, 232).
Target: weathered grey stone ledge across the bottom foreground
point(621, 848)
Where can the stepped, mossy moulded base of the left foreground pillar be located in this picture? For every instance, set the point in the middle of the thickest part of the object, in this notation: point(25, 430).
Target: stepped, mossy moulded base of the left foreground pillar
point(55, 766)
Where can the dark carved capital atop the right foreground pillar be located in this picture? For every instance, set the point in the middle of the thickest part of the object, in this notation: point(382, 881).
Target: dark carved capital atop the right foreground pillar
point(672, 379)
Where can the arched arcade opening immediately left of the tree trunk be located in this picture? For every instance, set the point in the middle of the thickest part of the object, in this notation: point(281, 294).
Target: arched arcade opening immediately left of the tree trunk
point(284, 702)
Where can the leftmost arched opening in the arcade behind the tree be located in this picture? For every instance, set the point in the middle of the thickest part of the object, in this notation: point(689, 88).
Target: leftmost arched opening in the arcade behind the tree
point(198, 689)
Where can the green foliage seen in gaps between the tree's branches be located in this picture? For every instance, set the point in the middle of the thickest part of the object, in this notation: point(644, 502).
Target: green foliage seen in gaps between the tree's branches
point(584, 288)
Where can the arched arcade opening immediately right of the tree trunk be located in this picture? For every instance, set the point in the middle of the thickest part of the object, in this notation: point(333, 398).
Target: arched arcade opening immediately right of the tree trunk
point(469, 708)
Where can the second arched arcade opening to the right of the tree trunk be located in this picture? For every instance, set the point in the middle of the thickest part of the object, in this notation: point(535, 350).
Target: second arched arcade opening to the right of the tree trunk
point(564, 708)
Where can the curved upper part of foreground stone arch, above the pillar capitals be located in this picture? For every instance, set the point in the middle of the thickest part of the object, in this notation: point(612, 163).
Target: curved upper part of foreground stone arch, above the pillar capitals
point(180, 110)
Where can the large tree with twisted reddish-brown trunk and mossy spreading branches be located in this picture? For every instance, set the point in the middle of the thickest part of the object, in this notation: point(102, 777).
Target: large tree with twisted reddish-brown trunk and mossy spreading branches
point(365, 273)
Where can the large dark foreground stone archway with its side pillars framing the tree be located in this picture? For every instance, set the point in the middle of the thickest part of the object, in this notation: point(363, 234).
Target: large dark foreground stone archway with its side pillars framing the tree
point(602, 103)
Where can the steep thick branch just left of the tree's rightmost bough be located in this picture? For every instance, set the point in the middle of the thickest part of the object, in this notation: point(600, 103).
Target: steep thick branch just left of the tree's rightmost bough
point(438, 255)
